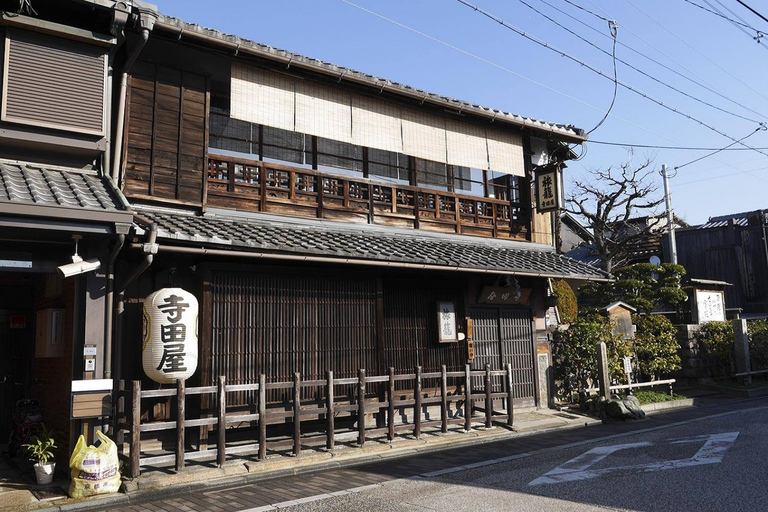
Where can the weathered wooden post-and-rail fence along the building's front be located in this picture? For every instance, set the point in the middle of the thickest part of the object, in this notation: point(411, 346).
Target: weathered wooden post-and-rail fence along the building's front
point(394, 399)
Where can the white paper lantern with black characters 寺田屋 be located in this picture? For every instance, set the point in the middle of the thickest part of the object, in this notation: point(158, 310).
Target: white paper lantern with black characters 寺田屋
point(169, 351)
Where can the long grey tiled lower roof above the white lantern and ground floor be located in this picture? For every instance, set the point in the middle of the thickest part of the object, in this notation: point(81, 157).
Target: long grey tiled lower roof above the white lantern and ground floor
point(270, 235)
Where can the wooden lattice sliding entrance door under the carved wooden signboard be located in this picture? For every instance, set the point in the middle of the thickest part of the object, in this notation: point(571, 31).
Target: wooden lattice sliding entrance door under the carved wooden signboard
point(501, 336)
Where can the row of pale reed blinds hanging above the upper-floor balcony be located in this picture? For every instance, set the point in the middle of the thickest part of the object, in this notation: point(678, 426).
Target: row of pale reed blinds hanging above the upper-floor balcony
point(265, 97)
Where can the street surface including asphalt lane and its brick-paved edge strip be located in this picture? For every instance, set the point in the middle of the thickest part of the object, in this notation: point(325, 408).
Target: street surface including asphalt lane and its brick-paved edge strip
point(701, 459)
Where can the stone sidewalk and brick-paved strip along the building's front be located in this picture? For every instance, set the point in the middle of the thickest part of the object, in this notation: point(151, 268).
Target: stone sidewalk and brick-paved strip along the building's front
point(314, 474)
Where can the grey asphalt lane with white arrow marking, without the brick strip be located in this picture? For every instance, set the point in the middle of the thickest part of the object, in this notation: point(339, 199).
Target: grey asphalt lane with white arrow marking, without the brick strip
point(719, 464)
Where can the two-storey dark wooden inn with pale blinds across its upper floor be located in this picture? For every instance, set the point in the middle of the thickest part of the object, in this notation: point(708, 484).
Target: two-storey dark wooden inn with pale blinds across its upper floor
point(322, 215)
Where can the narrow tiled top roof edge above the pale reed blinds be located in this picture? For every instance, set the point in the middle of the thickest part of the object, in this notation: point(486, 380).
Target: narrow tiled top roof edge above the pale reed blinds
point(246, 46)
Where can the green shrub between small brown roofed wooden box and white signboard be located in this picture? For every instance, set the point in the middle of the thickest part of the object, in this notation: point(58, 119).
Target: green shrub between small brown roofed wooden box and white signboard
point(656, 346)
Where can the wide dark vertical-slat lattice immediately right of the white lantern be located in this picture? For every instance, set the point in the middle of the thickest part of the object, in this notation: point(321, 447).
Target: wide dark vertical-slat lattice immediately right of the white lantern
point(280, 324)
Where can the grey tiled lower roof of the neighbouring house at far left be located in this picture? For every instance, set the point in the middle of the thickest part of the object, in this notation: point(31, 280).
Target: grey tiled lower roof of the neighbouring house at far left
point(38, 185)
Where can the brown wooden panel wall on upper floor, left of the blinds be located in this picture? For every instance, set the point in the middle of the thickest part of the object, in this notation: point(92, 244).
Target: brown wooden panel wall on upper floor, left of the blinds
point(166, 134)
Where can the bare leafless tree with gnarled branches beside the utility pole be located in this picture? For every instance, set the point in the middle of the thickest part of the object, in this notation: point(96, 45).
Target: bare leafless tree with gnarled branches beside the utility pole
point(608, 201)
